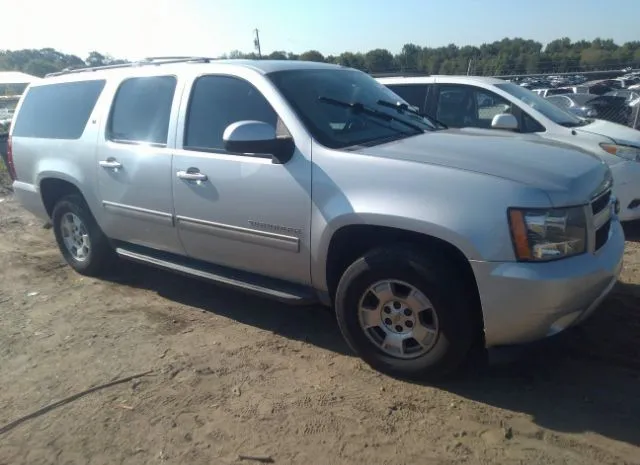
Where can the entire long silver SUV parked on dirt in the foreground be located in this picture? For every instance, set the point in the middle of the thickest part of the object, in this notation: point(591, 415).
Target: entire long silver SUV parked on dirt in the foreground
point(309, 182)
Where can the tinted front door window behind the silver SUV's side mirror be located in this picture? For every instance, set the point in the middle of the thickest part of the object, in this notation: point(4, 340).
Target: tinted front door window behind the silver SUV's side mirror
point(217, 102)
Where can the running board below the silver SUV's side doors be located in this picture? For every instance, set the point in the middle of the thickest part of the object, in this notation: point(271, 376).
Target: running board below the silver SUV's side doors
point(283, 291)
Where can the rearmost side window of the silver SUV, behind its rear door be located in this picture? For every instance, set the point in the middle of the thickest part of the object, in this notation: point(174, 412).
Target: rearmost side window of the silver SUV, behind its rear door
point(57, 111)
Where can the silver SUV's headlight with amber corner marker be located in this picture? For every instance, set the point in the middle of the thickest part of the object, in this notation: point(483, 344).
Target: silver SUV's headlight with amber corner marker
point(550, 234)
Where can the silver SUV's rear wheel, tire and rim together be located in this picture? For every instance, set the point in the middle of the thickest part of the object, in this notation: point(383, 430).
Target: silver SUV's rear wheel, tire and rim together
point(98, 254)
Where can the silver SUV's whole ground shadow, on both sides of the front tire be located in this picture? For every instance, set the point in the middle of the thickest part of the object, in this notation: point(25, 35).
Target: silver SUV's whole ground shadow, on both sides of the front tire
point(586, 379)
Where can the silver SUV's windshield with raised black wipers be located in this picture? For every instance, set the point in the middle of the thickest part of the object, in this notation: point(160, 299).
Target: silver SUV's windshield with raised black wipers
point(344, 108)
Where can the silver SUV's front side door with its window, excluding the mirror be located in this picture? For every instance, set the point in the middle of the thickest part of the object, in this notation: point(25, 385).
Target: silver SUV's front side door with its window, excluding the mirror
point(239, 210)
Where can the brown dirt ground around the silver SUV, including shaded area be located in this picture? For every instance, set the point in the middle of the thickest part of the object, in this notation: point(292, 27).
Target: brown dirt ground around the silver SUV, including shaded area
point(235, 375)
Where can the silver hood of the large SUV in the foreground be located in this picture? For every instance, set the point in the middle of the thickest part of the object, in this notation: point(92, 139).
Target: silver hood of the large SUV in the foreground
point(569, 175)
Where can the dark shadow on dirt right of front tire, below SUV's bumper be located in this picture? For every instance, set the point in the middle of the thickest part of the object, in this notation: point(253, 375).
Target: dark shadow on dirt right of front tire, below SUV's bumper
point(585, 380)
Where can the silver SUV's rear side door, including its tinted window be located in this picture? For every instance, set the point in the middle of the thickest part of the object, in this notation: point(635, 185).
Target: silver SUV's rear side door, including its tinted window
point(134, 164)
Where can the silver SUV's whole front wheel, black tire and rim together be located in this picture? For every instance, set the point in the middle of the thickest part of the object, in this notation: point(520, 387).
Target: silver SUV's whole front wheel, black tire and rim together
point(451, 331)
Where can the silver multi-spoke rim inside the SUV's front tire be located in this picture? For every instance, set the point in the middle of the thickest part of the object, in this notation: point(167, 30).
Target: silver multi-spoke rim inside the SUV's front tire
point(398, 319)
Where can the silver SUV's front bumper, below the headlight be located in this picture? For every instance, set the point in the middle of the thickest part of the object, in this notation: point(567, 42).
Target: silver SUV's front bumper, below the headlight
point(525, 302)
